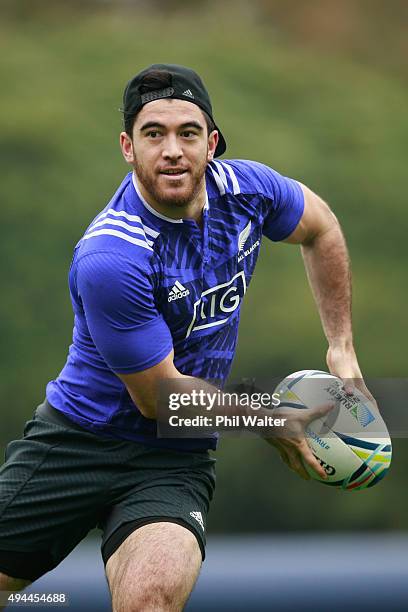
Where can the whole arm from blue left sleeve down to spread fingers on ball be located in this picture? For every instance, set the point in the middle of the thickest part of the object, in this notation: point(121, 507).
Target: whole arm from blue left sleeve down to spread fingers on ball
point(135, 342)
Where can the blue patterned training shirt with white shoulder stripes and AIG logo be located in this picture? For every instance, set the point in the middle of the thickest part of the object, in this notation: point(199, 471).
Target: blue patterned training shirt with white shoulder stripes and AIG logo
point(142, 284)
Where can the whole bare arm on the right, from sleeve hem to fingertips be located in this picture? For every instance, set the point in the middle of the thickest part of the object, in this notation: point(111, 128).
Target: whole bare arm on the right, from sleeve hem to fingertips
point(327, 266)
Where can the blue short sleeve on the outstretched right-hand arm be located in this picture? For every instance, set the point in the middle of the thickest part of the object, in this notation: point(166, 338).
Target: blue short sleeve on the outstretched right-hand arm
point(285, 201)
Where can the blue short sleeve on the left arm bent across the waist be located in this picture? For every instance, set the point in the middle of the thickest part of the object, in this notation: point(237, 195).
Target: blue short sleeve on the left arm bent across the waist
point(118, 302)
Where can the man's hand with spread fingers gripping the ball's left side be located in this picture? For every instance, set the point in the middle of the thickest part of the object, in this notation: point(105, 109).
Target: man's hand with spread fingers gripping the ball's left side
point(291, 442)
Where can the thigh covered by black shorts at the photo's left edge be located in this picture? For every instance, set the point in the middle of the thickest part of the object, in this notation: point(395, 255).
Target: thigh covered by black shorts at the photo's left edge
point(47, 500)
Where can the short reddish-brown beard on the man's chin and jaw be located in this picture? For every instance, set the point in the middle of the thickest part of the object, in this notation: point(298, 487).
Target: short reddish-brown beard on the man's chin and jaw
point(172, 195)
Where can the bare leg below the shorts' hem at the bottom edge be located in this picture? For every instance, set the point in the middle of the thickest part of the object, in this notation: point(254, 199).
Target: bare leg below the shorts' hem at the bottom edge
point(154, 569)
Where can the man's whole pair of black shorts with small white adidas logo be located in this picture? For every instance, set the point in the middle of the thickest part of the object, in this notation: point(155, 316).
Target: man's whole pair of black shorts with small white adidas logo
point(60, 481)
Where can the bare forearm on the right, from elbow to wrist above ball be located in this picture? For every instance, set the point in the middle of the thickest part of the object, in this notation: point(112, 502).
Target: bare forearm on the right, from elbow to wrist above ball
point(328, 269)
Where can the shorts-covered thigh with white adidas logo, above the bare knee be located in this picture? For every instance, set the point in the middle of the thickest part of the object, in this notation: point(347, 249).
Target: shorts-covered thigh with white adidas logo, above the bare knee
point(162, 486)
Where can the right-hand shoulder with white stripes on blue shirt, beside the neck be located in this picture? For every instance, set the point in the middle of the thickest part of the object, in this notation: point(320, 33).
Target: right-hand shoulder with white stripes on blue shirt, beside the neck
point(246, 176)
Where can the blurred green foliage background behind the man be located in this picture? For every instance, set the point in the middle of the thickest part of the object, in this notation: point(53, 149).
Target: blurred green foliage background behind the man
point(315, 88)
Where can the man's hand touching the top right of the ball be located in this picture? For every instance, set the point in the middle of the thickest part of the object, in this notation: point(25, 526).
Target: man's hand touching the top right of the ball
point(342, 362)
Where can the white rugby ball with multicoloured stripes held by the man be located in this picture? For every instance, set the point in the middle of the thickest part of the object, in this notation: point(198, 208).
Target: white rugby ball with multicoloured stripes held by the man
point(352, 442)
